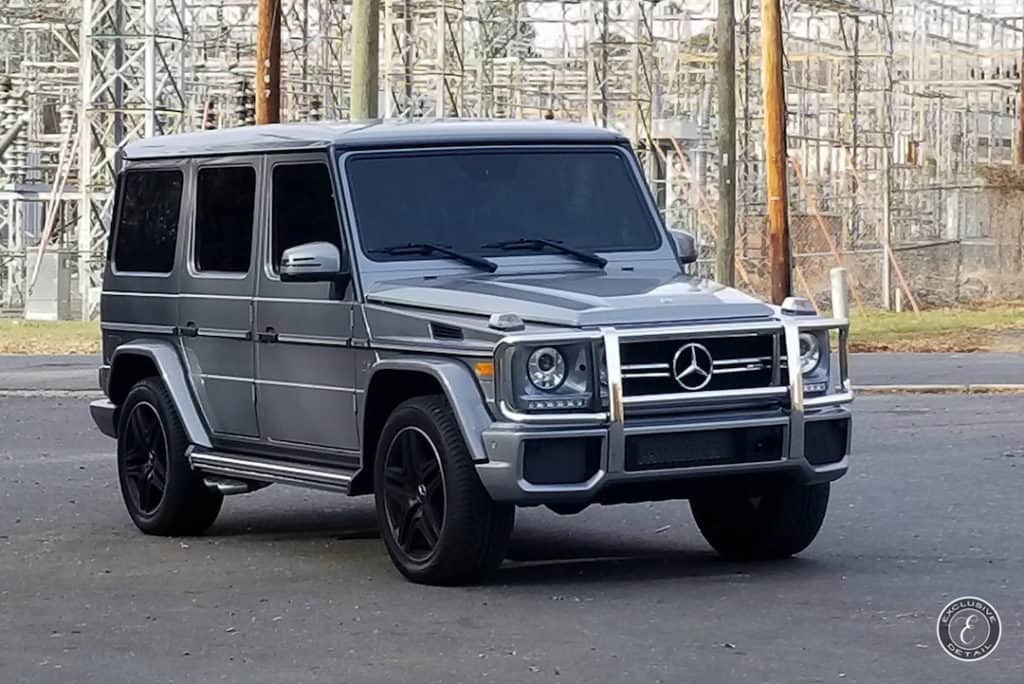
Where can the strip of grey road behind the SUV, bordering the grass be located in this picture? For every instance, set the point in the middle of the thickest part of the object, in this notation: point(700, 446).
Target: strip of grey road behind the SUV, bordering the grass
point(79, 373)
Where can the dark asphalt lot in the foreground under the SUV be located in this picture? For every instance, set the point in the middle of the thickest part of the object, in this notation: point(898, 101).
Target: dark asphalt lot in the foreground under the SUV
point(293, 586)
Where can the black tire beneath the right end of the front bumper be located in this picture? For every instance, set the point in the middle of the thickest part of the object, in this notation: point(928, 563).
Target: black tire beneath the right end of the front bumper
point(777, 523)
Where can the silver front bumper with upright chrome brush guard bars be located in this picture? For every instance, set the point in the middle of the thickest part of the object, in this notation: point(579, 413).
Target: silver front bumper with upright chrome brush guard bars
point(505, 473)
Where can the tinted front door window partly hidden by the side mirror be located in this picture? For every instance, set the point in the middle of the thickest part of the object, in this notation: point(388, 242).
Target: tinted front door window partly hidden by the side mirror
point(304, 208)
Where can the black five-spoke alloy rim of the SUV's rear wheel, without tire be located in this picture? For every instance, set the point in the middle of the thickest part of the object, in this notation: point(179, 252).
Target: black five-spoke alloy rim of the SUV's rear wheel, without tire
point(146, 458)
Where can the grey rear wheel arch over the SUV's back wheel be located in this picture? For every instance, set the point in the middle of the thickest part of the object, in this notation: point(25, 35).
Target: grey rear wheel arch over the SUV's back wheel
point(136, 361)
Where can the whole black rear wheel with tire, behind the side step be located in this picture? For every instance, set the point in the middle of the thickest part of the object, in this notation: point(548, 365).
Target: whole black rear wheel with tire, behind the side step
point(163, 495)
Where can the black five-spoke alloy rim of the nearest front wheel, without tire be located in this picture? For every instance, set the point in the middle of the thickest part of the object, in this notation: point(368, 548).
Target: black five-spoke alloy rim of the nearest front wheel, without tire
point(414, 493)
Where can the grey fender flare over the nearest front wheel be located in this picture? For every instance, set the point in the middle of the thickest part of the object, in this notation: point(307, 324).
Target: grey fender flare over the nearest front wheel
point(460, 388)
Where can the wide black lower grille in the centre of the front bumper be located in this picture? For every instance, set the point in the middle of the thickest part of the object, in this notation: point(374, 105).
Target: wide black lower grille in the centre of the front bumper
point(705, 448)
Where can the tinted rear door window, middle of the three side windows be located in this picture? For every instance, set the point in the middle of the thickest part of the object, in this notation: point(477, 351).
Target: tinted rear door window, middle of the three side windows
point(226, 198)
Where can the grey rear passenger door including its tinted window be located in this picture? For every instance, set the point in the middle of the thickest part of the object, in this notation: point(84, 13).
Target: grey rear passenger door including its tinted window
point(217, 288)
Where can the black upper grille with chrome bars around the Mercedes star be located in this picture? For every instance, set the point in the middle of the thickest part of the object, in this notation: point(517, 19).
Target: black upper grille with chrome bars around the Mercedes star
point(739, 362)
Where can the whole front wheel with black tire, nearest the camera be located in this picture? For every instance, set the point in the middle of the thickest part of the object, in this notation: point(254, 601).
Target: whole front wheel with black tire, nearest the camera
point(439, 524)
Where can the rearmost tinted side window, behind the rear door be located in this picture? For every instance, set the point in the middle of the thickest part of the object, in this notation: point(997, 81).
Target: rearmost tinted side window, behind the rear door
point(148, 229)
